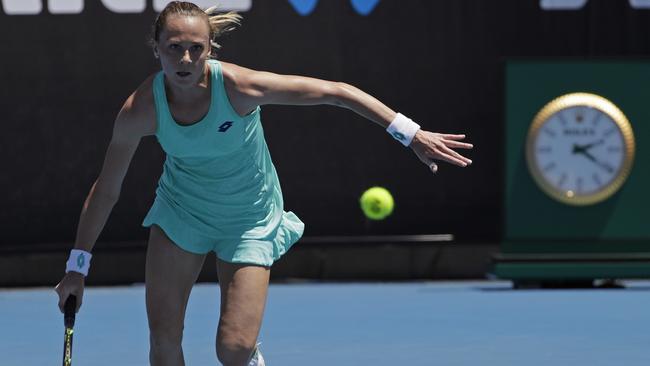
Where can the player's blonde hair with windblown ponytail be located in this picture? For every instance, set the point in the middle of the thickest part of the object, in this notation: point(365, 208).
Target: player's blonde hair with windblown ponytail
point(219, 23)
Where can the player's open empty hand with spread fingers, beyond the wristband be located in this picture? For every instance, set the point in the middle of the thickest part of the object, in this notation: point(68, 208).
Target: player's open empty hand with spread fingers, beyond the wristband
point(430, 146)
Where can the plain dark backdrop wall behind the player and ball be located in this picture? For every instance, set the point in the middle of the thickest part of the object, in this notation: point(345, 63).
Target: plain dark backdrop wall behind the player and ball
point(64, 77)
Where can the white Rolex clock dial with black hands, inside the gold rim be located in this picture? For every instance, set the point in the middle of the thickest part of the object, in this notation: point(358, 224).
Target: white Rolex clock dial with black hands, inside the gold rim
point(579, 151)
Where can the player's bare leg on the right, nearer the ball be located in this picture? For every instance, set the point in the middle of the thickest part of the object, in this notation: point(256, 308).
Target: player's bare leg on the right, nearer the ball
point(243, 296)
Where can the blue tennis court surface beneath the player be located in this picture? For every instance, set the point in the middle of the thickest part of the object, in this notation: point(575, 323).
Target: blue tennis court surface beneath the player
point(415, 323)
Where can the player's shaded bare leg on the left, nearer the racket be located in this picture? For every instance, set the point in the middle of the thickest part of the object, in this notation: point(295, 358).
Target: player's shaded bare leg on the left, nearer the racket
point(170, 274)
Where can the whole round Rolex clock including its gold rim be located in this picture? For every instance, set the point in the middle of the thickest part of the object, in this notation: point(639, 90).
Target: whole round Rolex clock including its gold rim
point(580, 149)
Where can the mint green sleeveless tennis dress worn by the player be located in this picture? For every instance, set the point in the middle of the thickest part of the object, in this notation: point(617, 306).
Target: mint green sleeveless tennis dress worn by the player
point(219, 190)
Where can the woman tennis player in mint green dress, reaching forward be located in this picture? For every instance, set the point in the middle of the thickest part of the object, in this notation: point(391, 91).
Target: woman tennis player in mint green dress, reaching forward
point(219, 190)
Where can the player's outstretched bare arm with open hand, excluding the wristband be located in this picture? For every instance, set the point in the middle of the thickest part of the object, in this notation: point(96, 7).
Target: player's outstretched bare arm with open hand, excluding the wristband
point(249, 89)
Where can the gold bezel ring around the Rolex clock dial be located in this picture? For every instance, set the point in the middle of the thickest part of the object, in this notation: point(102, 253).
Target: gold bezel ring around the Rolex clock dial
point(587, 100)
